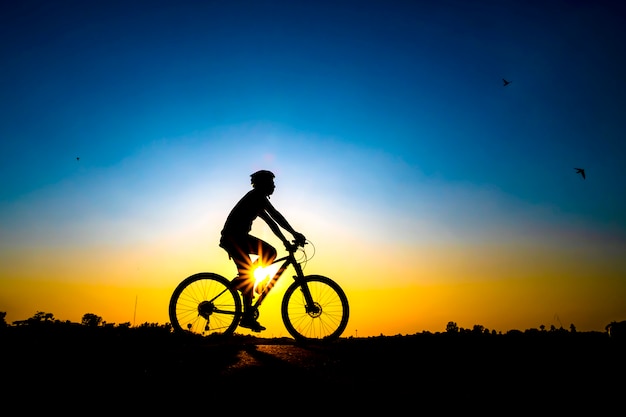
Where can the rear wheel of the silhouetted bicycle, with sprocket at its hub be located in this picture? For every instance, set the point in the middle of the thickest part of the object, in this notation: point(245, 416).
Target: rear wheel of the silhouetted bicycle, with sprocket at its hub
point(205, 304)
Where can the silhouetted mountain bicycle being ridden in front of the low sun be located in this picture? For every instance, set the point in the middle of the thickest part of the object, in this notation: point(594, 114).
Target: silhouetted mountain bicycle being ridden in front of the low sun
point(314, 307)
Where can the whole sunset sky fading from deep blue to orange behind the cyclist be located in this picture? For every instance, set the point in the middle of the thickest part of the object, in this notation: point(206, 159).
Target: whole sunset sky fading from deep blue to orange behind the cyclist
point(431, 192)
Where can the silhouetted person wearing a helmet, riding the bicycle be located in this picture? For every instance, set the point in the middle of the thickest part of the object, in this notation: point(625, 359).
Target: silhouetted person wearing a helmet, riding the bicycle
point(237, 241)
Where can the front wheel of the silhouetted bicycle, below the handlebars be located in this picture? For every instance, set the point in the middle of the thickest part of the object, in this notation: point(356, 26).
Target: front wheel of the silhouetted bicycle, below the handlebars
point(326, 319)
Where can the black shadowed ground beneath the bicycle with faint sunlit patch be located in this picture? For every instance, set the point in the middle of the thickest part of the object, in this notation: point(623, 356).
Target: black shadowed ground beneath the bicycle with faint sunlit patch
point(83, 370)
